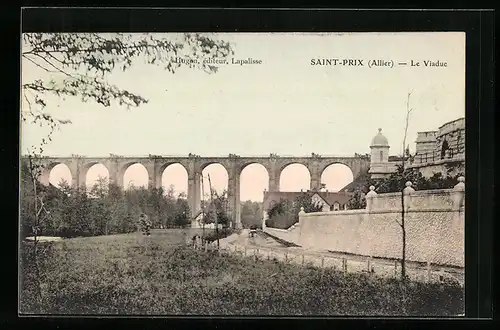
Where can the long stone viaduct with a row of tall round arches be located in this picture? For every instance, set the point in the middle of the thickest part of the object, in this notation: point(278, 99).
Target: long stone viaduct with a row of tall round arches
point(194, 165)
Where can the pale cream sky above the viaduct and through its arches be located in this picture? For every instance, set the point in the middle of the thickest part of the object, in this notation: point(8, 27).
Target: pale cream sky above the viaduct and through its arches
point(284, 105)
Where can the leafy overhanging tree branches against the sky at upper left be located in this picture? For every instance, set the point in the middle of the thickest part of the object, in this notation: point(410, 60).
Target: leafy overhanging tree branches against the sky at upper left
point(79, 64)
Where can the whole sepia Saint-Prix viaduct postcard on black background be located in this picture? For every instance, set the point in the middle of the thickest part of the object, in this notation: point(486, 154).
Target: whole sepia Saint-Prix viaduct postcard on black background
point(242, 174)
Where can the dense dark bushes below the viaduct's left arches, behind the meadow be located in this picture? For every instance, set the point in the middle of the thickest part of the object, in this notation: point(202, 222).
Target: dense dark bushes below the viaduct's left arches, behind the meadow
point(104, 210)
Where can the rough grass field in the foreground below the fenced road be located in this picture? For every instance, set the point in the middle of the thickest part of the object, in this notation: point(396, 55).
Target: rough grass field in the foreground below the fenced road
point(134, 274)
